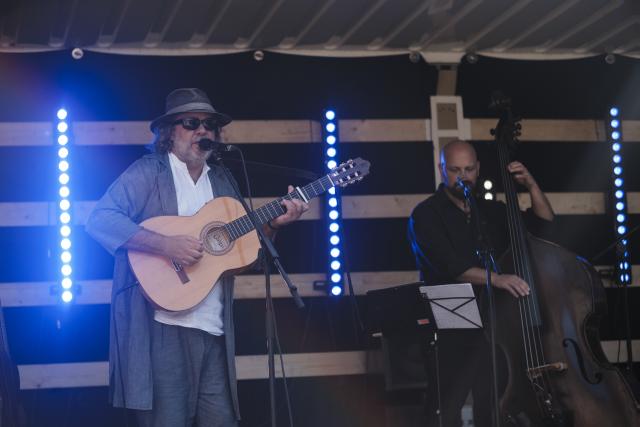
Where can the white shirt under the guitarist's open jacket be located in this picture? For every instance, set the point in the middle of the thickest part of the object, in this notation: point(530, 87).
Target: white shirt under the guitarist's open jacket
point(207, 315)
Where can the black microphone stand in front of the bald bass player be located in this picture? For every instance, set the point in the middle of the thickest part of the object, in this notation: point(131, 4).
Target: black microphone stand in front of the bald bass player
point(485, 255)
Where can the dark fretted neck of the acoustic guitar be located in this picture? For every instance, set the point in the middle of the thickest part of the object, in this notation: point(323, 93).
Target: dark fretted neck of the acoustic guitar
point(243, 225)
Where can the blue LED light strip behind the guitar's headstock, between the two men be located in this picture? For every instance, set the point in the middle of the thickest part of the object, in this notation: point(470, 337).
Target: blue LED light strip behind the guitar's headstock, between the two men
point(333, 211)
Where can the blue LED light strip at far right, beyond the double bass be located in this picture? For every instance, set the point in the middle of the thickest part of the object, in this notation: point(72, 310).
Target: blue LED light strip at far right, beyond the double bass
point(623, 260)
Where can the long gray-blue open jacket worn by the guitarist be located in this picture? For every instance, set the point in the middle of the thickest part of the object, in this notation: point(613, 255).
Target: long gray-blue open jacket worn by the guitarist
point(143, 191)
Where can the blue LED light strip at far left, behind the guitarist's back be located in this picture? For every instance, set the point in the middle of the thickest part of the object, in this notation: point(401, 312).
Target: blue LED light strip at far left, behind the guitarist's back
point(63, 140)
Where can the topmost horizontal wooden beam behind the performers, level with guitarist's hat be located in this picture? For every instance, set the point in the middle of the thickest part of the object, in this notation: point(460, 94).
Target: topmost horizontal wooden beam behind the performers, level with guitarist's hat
point(308, 131)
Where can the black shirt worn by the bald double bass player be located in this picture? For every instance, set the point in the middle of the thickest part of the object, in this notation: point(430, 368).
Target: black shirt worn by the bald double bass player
point(442, 237)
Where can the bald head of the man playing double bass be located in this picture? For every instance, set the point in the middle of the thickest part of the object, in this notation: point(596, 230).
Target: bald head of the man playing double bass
point(458, 159)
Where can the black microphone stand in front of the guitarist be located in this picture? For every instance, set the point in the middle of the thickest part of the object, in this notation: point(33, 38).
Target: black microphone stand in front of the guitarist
point(266, 253)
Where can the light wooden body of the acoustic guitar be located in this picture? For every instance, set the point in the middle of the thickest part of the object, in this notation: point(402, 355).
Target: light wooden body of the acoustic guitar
point(172, 290)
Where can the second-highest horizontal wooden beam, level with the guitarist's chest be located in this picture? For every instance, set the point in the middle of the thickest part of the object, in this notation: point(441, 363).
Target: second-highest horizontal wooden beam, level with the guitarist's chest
point(31, 214)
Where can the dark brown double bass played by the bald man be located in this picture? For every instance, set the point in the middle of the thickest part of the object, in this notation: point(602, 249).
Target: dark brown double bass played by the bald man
point(557, 372)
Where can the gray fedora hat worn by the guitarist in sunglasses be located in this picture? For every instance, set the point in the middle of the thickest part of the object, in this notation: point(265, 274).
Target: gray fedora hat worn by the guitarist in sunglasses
point(188, 100)
